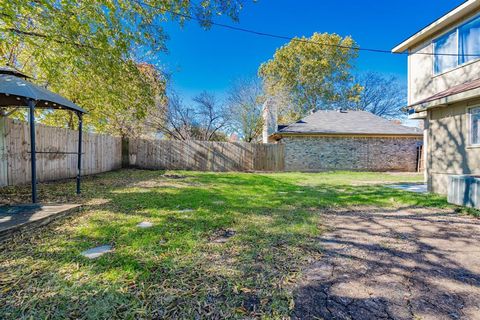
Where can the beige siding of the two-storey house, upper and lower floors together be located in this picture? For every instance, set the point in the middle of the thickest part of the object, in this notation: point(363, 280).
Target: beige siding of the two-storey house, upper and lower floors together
point(446, 128)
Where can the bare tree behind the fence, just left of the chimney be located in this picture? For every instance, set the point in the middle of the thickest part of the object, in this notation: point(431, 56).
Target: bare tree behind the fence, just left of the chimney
point(245, 103)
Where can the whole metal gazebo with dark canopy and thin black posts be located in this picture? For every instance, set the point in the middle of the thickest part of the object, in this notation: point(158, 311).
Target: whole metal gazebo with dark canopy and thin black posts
point(16, 91)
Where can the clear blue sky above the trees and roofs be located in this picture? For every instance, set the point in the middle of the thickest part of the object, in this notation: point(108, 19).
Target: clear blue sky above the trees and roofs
point(212, 59)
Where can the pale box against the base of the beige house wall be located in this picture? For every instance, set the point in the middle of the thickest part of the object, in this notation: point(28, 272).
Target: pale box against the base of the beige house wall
point(464, 190)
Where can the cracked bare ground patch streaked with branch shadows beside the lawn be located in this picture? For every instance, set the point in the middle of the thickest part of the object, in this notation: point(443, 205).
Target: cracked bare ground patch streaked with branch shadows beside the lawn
point(394, 264)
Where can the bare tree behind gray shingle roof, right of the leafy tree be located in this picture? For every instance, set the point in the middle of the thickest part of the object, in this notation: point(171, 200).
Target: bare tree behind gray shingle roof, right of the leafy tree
point(381, 95)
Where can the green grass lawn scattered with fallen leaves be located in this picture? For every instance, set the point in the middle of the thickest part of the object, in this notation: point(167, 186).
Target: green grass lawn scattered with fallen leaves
point(178, 268)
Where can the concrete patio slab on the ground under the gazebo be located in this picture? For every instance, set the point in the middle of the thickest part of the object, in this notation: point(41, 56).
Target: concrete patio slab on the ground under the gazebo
point(19, 217)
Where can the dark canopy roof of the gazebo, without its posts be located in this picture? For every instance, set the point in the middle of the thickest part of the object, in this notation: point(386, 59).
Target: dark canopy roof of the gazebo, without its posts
point(16, 91)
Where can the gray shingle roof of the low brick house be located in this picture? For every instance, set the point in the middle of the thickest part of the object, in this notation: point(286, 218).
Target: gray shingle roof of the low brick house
point(347, 122)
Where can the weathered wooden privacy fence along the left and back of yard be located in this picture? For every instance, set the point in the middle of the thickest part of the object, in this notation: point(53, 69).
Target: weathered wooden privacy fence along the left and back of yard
point(57, 158)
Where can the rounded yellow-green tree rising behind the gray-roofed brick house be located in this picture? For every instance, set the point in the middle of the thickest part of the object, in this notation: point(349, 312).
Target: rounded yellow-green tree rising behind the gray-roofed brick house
point(312, 72)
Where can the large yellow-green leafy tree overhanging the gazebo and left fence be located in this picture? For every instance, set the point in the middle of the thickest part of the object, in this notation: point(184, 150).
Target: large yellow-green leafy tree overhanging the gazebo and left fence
point(92, 52)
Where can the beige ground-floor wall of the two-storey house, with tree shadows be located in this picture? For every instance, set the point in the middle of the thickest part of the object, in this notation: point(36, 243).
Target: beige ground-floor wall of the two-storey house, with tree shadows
point(449, 152)
